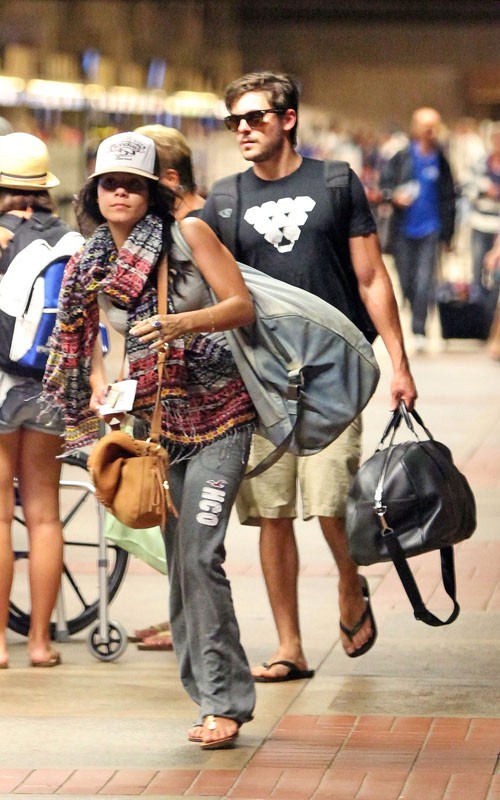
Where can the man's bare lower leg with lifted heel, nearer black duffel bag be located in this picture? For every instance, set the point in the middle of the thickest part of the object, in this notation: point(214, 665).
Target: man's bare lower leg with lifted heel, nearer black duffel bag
point(352, 604)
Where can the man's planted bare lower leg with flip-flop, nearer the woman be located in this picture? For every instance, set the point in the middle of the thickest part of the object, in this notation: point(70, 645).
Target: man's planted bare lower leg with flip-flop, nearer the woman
point(280, 565)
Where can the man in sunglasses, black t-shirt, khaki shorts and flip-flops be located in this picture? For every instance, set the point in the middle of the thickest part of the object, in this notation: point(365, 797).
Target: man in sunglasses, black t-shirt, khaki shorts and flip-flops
point(285, 228)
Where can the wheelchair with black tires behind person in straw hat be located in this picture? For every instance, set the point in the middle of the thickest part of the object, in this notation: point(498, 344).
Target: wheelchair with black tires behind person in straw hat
point(76, 607)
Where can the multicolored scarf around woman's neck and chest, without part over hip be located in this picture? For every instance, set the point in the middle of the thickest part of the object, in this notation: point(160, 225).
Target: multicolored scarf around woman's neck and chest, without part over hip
point(124, 276)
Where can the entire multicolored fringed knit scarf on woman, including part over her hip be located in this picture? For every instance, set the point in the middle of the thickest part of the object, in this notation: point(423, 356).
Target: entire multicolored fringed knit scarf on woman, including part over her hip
point(203, 397)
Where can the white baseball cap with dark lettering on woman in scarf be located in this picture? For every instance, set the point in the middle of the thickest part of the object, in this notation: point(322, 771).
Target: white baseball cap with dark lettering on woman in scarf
point(126, 152)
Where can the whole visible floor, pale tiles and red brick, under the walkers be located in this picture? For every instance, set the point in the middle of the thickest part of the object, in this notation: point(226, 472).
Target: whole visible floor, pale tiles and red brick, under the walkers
point(418, 718)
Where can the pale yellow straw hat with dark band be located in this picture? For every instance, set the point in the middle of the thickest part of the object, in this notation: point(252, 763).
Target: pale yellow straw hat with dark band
point(24, 161)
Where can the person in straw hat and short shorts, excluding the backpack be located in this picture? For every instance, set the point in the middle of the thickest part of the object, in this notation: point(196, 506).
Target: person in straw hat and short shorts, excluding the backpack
point(30, 440)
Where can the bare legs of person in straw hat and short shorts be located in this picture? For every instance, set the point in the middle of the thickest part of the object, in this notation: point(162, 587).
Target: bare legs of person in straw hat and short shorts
point(32, 456)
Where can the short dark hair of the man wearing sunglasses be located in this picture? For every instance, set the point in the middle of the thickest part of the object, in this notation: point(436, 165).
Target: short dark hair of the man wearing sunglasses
point(283, 92)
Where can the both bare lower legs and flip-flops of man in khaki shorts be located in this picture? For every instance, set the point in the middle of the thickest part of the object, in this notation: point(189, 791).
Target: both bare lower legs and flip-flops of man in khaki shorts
point(280, 565)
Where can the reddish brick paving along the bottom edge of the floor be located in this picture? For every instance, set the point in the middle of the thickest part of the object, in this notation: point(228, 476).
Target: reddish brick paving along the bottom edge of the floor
point(325, 757)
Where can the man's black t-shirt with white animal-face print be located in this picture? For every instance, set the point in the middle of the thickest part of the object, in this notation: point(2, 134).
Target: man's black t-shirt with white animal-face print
point(285, 229)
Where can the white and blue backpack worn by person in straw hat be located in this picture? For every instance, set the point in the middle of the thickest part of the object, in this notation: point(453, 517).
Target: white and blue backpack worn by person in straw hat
point(29, 293)
